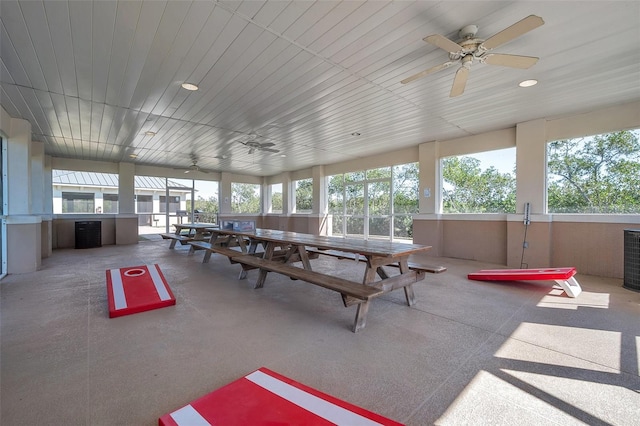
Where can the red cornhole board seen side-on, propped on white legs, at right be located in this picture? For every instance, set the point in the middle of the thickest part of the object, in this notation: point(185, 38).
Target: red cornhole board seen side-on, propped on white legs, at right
point(563, 276)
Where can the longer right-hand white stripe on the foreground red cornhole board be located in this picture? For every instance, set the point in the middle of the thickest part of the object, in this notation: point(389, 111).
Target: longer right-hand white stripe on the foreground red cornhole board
point(312, 403)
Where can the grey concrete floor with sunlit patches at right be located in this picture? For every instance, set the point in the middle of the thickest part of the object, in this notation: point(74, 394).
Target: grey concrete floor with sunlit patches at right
point(467, 353)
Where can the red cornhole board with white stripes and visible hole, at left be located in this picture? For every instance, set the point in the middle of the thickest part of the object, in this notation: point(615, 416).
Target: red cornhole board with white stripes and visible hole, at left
point(137, 289)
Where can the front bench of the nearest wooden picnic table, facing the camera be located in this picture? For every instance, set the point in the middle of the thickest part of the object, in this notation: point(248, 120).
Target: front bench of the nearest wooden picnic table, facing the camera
point(363, 294)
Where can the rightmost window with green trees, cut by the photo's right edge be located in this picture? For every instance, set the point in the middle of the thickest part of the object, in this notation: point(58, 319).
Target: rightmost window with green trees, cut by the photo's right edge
point(594, 174)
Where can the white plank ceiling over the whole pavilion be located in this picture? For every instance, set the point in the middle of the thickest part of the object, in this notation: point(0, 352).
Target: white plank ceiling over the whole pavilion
point(93, 77)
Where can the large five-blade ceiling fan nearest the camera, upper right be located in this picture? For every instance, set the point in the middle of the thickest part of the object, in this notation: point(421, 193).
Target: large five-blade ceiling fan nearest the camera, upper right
point(469, 49)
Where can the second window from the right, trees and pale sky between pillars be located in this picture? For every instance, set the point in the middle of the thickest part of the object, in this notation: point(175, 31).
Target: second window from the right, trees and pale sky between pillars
point(479, 183)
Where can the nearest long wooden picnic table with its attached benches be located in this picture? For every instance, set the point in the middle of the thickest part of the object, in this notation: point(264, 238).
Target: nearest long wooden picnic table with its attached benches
point(378, 253)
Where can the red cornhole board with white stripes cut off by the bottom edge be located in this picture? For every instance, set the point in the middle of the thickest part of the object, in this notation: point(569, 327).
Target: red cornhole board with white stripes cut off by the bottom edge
point(268, 398)
